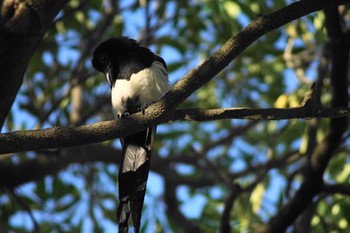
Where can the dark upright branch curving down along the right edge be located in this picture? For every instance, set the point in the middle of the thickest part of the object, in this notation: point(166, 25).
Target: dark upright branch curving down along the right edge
point(323, 152)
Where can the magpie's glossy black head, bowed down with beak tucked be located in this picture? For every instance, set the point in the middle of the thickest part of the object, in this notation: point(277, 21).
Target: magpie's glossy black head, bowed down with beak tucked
point(119, 57)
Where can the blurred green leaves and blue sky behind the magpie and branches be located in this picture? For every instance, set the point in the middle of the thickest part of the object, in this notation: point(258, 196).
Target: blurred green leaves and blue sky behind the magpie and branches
point(201, 160)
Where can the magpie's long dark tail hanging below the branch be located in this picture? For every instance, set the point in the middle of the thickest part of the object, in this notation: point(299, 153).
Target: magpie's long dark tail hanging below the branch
point(133, 175)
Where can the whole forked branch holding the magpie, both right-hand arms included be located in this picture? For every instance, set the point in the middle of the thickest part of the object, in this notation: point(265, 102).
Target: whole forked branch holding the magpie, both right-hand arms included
point(164, 110)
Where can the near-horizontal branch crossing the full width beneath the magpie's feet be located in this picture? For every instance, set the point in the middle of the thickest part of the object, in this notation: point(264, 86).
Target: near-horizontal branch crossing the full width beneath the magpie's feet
point(58, 137)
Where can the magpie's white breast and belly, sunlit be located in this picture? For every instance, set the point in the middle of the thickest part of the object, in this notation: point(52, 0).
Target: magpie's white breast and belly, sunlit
point(149, 85)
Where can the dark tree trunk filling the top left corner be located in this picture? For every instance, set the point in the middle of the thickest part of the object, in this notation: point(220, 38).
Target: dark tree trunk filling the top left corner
point(22, 26)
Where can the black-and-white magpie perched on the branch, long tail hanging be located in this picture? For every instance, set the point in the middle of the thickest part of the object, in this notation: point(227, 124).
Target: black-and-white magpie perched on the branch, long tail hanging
point(137, 78)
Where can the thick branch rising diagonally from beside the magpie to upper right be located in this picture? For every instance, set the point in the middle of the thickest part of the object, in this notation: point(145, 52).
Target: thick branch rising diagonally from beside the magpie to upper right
point(258, 27)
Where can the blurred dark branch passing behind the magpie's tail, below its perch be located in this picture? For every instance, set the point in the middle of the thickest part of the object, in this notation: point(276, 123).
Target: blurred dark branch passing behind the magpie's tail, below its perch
point(49, 163)
